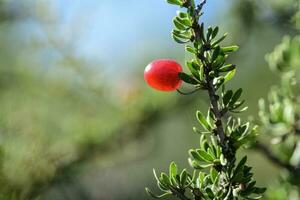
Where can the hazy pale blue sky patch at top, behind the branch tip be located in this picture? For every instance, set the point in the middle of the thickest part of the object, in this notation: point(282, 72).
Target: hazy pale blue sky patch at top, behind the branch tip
point(112, 31)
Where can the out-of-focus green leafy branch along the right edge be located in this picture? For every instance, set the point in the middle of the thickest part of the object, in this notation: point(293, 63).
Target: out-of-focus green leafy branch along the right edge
point(279, 116)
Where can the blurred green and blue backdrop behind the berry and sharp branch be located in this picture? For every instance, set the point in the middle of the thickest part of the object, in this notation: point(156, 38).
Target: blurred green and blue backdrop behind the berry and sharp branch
point(77, 120)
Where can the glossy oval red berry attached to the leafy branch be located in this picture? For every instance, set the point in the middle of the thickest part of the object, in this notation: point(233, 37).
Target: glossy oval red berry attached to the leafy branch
point(163, 75)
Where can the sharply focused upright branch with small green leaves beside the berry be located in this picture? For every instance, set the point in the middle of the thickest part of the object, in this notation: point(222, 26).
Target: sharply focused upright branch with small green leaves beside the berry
point(217, 173)
